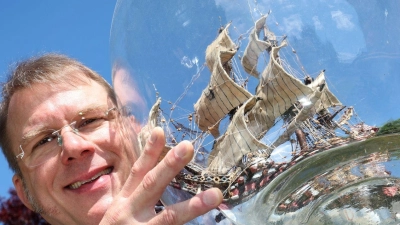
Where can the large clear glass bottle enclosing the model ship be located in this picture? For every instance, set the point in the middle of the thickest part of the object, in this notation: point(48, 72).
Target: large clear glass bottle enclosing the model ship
point(282, 160)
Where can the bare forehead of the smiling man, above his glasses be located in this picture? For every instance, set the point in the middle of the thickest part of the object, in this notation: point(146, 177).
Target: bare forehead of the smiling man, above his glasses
point(30, 107)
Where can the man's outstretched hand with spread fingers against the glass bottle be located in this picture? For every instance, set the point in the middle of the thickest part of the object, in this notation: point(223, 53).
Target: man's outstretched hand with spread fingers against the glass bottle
point(148, 180)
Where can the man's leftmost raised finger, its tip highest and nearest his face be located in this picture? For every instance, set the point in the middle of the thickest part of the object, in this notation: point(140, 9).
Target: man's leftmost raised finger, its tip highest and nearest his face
point(146, 161)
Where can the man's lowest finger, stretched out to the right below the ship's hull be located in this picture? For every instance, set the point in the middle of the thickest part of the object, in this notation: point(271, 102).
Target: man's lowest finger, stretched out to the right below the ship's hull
point(186, 211)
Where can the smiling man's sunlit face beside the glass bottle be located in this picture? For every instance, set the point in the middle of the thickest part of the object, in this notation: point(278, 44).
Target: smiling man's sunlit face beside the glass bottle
point(80, 160)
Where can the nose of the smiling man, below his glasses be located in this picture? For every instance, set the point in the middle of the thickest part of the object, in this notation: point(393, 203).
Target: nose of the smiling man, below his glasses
point(75, 146)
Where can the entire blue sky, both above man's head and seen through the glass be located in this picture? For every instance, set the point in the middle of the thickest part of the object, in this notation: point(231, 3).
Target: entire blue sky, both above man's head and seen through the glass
point(361, 55)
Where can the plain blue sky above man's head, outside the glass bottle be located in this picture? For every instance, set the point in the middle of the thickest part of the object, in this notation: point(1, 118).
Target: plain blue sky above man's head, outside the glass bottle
point(80, 29)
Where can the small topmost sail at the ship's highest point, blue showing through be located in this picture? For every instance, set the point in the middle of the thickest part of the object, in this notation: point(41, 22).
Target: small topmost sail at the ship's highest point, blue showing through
point(256, 46)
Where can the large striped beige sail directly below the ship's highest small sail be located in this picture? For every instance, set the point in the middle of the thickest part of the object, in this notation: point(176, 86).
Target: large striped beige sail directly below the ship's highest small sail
point(278, 90)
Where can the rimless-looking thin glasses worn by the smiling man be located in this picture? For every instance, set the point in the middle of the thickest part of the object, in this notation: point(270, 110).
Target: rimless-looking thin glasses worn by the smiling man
point(36, 149)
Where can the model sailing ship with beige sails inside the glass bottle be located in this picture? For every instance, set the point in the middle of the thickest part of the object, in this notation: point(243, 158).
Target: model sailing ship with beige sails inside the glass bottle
point(239, 162)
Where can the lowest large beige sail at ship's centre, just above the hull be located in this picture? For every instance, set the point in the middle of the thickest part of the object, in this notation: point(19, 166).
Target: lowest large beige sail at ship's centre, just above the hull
point(237, 141)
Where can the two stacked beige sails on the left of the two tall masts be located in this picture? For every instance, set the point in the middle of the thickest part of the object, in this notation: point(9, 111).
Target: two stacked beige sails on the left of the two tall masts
point(222, 94)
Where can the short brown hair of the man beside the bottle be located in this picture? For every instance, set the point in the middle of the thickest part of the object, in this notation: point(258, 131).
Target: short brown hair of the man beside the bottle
point(48, 69)
